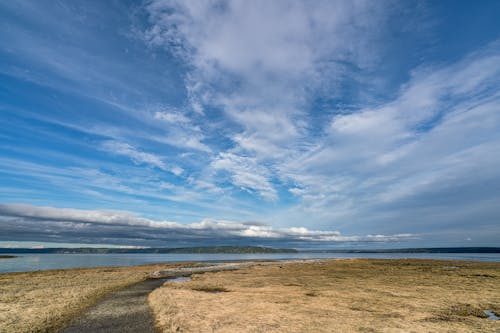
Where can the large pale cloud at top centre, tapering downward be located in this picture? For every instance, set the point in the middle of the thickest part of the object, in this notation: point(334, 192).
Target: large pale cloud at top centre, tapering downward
point(259, 60)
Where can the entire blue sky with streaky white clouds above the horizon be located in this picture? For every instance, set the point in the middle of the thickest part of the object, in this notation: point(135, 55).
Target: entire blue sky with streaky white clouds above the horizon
point(305, 124)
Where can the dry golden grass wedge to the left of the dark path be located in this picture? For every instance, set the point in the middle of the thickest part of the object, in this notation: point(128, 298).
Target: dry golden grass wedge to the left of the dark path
point(44, 301)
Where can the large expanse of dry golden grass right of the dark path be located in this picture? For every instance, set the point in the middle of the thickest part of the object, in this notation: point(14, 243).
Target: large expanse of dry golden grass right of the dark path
point(358, 295)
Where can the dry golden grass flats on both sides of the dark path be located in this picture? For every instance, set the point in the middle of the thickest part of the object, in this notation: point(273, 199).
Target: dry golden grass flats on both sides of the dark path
point(347, 295)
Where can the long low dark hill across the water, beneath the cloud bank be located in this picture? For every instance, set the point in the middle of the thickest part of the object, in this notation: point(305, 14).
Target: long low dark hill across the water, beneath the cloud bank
point(203, 249)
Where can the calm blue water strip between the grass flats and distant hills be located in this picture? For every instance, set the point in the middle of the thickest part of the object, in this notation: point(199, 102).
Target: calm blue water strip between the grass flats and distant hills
point(35, 262)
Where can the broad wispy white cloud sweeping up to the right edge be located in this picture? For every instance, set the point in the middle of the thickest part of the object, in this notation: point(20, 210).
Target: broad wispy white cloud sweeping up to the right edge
point(439, 135)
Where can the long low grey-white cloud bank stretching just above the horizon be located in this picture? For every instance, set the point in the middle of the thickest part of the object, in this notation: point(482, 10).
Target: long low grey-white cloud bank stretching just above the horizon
point(23, 222)
